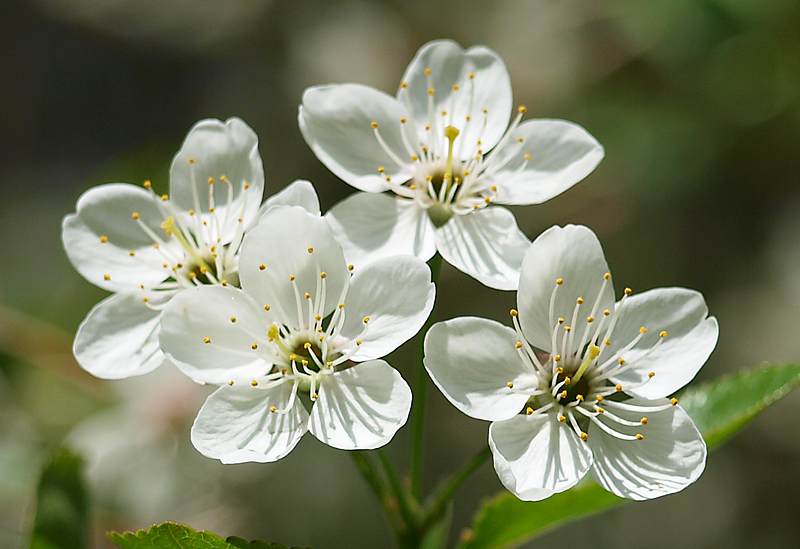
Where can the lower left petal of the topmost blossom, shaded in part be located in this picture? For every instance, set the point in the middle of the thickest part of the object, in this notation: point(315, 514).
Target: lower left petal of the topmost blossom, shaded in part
point(370, 226)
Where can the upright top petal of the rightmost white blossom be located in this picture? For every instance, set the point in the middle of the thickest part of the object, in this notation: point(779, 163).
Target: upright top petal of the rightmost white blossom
point(573, 254)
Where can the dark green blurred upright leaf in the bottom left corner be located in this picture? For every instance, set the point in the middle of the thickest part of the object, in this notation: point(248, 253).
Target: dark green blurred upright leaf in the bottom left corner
point(62, 507)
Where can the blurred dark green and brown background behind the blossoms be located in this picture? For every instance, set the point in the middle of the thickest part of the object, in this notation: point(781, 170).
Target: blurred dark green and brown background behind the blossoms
point(697, 103)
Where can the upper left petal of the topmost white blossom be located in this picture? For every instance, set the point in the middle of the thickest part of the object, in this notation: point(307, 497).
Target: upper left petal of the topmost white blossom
point(336, 121)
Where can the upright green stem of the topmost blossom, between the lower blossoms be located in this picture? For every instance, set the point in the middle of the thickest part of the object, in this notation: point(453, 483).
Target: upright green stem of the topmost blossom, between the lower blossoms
point(420, 396)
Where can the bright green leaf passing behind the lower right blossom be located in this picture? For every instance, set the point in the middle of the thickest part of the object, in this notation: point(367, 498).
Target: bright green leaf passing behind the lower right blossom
point(719, 408)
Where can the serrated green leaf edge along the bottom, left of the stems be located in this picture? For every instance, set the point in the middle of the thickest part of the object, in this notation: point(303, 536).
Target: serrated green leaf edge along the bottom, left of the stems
point(171, 535)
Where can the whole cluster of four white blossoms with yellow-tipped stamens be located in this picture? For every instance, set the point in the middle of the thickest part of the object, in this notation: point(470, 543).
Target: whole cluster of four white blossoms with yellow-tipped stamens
point(289, 312)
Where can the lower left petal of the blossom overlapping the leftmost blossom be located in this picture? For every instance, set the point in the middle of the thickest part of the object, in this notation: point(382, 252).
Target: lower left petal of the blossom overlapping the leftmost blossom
point(235, 425)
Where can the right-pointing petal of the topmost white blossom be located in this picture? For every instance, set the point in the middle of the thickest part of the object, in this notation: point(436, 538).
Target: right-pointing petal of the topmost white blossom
point(561, 154)
